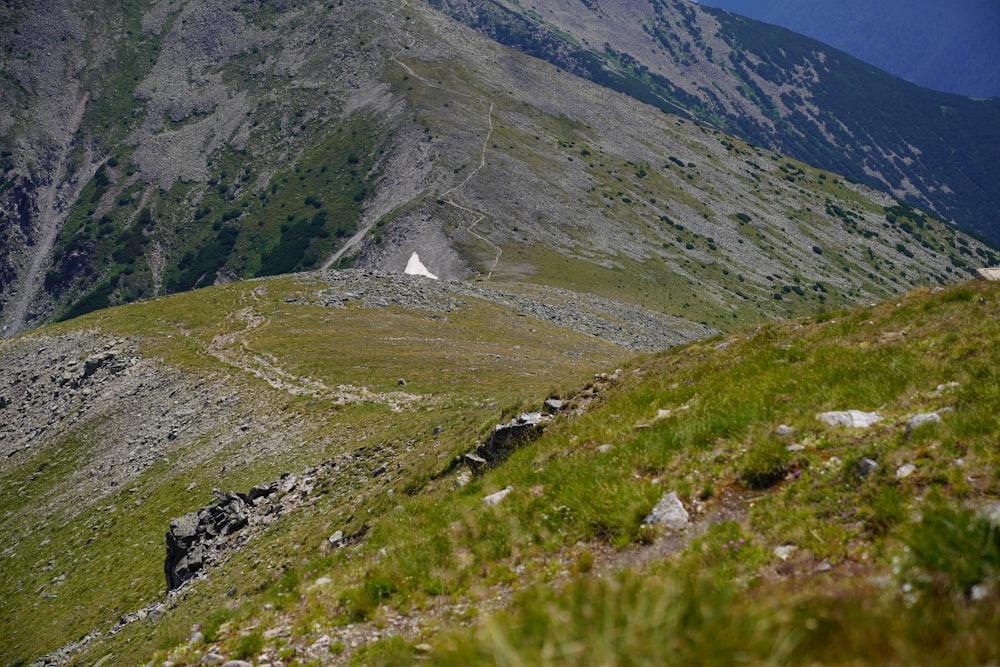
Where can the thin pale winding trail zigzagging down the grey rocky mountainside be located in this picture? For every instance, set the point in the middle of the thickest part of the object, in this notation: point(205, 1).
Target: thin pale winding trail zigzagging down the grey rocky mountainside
point(475, 215)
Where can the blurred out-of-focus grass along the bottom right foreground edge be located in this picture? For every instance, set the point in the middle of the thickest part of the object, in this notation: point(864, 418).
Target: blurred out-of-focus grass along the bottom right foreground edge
point(640, 620)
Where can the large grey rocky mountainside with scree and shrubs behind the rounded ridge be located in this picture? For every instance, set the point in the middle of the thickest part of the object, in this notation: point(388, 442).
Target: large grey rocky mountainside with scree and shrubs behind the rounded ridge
point(158, 147)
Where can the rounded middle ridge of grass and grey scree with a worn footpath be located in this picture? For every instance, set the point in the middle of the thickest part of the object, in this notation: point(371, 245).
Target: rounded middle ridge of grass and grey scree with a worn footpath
point(116, 422)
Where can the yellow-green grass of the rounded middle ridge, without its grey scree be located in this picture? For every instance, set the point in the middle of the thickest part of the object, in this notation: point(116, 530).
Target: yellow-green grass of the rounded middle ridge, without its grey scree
point(464, 370)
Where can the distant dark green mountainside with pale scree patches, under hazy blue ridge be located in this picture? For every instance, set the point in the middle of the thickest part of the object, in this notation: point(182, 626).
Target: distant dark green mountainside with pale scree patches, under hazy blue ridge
point(771, 87)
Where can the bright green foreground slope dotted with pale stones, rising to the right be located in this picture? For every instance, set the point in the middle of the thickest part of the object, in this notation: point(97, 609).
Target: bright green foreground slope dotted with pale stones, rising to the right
point(882, 569)
